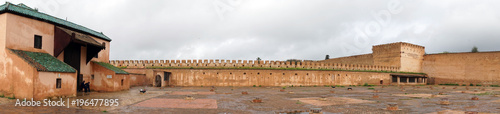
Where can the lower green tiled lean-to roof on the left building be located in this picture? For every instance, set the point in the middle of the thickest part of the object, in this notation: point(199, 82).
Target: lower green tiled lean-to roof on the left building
point(44, 61)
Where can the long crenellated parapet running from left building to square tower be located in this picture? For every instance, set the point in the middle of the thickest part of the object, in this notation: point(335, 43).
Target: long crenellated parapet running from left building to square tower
point(245, 64)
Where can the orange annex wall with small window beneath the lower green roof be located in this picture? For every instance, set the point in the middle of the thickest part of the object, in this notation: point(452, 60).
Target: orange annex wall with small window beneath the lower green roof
point(46, 85)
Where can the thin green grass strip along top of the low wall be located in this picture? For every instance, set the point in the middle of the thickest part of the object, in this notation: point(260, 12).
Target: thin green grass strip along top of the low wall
point(260, 68)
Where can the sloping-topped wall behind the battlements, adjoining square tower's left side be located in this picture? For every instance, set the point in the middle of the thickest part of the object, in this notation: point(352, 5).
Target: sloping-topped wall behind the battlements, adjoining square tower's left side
point(365, 59)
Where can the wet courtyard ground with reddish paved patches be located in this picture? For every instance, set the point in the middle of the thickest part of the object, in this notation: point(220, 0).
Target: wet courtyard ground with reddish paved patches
point(226, 100)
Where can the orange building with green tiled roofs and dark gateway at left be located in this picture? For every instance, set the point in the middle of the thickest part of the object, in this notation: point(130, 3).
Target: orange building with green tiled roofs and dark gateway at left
point(42, 56)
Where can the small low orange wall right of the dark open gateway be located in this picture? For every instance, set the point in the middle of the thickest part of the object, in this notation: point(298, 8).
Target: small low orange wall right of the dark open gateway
point(102, 83)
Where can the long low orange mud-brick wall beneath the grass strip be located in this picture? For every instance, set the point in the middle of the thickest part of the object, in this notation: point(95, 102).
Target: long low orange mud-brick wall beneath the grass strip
point(232, 77)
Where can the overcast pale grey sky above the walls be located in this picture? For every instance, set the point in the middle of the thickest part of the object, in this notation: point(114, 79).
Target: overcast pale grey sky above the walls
point(280, 29)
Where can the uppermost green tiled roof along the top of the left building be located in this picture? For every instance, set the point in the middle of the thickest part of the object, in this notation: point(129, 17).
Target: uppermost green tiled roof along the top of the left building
point(33, 13)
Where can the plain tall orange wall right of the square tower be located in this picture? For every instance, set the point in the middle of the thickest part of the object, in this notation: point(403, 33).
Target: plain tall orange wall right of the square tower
point(463, 68)
